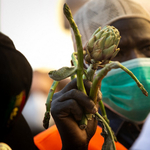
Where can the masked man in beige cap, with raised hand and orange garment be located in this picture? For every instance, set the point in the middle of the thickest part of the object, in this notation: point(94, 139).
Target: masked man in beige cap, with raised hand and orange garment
point(126, 107)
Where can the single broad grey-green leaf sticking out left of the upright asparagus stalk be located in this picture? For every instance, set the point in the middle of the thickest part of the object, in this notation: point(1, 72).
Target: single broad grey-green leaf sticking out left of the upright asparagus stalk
point(62, 73)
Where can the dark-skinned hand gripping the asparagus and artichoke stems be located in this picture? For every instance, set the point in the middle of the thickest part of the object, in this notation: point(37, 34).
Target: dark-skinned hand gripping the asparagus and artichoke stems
point(67, 109)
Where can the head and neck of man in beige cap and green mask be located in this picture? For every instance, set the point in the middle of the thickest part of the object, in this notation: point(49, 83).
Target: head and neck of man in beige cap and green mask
point(132, 21)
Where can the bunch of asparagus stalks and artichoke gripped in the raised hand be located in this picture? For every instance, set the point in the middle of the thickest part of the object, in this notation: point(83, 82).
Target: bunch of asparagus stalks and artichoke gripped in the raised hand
point(100, 49)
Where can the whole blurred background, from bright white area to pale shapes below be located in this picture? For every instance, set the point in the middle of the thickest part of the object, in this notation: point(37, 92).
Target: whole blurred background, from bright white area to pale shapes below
point(40, 31)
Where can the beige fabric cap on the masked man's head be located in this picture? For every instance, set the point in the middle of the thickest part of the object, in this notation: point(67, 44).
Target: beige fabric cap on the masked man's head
point(96, 13)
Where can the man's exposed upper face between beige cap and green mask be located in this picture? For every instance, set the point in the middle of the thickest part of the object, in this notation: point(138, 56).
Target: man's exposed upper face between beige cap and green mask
point(135, 39)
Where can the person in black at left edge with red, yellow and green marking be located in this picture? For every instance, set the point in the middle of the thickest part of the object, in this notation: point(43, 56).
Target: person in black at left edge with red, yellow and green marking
point(15, 83)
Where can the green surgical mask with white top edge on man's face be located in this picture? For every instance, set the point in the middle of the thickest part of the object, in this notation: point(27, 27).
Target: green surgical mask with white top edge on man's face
point(121, 93)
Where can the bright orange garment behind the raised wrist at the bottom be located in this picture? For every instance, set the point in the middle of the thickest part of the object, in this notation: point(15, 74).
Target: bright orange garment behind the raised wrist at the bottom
point(50, 140)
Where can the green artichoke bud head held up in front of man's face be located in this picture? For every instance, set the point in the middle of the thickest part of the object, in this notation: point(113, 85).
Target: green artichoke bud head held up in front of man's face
point(103, 44)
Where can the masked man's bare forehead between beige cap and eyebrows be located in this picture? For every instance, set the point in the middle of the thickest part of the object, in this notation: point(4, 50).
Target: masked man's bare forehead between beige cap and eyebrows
point(133, 28)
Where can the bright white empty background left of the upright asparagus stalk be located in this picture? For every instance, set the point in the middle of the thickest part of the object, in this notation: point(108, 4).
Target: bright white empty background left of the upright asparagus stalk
point(36, 27)
